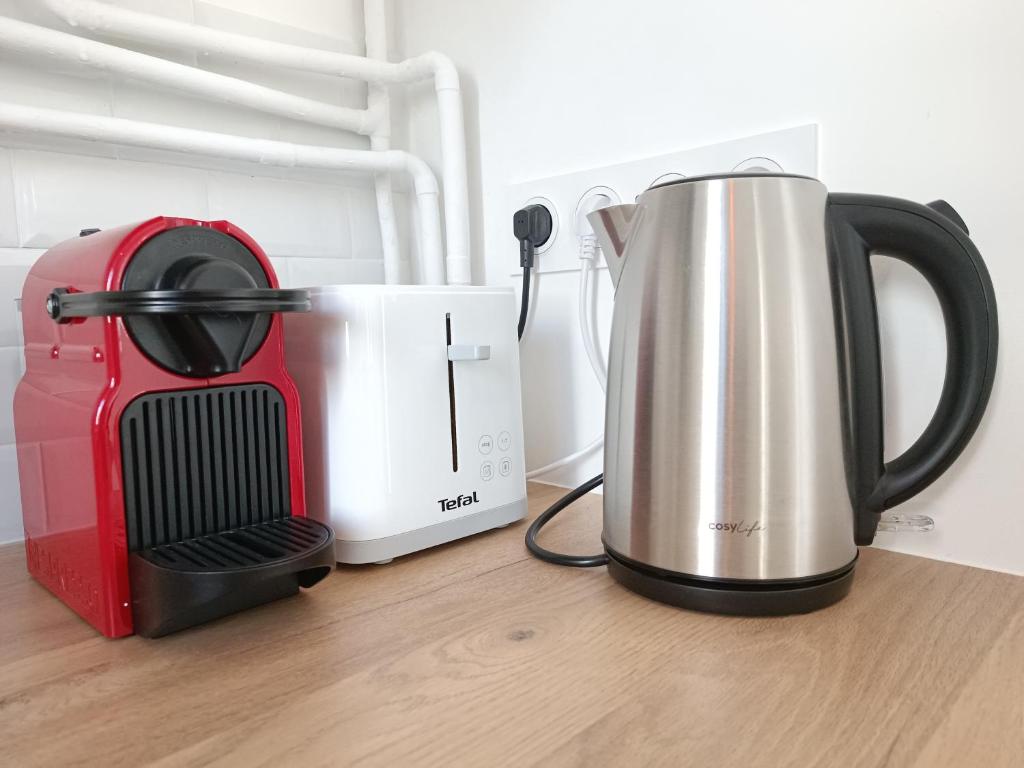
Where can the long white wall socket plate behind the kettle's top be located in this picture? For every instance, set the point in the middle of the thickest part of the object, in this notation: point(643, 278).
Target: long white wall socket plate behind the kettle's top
point(794, 150)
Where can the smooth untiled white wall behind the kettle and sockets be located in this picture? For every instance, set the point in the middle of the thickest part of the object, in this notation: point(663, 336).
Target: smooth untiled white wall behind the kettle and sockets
point(917, 99)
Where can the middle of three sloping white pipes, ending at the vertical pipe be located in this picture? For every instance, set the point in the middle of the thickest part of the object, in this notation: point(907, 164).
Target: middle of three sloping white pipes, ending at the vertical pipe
point(26, 38)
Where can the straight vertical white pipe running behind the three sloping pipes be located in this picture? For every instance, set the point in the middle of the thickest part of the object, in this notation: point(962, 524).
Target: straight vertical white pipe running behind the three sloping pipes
point(378, 103)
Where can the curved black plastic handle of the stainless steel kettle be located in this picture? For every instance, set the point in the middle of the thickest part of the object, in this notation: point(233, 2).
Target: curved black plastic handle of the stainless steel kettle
point(934, 240)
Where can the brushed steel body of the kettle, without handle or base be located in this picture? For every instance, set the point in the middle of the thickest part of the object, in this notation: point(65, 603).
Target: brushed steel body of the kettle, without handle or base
point(723, 437)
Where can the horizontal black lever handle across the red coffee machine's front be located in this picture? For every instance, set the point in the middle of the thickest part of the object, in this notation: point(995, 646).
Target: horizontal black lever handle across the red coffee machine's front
point(64, 306)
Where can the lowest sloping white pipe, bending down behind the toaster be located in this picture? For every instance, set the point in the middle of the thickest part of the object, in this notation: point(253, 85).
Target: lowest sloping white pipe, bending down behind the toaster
point(137, 134)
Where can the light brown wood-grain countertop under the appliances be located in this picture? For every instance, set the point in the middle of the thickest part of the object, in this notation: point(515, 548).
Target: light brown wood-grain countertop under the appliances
point(476, 655)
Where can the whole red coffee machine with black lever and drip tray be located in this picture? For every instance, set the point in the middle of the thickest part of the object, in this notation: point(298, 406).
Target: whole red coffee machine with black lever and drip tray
point(158, 433)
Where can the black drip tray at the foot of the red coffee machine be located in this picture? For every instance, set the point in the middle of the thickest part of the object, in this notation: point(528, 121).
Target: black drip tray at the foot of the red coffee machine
point(186, 583)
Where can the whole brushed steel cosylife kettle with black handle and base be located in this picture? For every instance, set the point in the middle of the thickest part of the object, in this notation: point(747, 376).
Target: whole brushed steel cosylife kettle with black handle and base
point(744, 442)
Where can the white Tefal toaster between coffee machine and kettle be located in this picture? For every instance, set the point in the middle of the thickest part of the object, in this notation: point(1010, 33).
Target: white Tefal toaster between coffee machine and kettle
point(412, 418)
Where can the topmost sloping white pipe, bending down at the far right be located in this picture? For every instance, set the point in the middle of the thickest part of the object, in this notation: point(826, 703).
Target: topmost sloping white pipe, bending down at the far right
point(102, 18)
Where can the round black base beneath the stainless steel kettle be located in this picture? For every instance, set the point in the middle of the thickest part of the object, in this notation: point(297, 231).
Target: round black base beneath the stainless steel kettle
point(735, 598)
